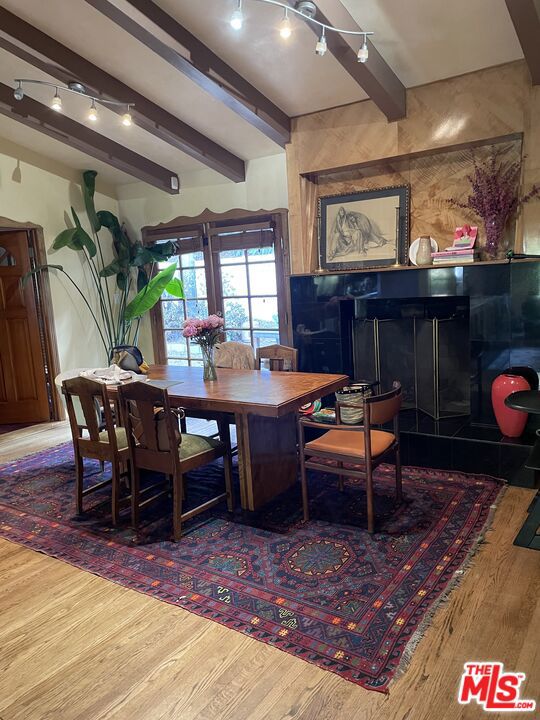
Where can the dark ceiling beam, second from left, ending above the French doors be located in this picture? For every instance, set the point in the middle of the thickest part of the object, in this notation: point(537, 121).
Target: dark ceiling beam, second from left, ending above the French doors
point(43, 52)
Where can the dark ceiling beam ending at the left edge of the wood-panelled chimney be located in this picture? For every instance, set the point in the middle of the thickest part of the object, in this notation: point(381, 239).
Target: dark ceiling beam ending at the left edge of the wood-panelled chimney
point(204, 68)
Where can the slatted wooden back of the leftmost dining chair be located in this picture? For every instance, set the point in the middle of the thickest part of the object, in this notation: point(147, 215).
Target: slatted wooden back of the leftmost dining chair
point(89, 393)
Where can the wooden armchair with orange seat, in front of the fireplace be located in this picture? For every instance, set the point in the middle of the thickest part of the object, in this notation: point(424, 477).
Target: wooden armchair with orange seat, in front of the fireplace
point(356, 445)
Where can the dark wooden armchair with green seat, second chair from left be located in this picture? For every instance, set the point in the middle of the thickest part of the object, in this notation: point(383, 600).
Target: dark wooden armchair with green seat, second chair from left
point(146, 410)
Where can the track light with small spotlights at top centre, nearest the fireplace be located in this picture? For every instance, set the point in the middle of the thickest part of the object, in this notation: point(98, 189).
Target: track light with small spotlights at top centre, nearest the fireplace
point(308, 11)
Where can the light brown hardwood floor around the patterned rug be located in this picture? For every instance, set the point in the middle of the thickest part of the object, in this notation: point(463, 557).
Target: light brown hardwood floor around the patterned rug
point(76, 646)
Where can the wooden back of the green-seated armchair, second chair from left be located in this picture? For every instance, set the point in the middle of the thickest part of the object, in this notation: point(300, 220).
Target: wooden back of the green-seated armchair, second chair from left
point(140, 403)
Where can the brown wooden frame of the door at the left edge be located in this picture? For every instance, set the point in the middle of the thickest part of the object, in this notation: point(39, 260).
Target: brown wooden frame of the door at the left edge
point(44, 307)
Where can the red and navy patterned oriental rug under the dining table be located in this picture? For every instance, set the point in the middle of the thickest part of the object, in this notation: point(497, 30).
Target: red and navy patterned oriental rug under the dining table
point(326, 591)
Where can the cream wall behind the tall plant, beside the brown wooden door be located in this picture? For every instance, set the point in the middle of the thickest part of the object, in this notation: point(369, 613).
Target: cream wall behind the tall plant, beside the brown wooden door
point(37, 190)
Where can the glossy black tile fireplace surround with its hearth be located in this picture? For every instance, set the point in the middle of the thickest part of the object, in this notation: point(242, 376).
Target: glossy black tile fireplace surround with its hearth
point(497, 309)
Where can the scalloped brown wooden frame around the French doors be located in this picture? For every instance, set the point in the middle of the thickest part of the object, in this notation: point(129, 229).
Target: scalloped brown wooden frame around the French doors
point(164, 231)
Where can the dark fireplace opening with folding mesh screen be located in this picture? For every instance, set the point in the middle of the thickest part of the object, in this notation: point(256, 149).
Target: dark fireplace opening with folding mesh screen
point(423, 343)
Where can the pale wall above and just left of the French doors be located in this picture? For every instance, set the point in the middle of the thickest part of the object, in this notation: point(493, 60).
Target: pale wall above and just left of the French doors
point(265, 188)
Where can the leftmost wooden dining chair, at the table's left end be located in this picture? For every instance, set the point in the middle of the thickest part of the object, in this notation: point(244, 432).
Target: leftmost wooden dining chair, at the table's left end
point(106, 441)
